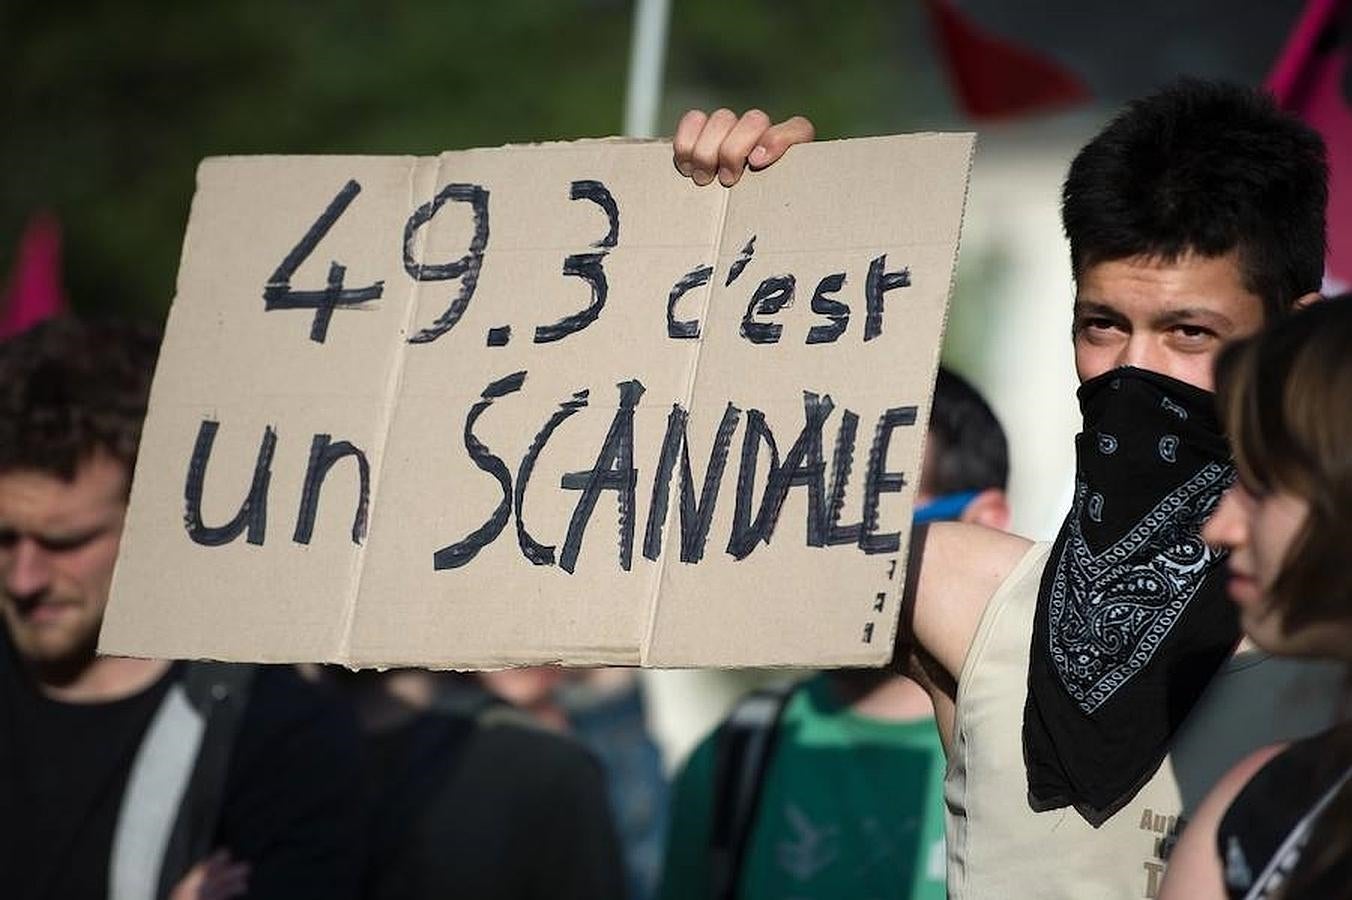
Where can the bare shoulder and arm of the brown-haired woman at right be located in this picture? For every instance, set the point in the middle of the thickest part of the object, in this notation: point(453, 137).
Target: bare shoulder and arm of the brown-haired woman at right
point(1194, 871)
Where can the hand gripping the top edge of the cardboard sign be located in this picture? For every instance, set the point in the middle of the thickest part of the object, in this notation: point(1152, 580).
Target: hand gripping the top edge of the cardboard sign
point(723, 144)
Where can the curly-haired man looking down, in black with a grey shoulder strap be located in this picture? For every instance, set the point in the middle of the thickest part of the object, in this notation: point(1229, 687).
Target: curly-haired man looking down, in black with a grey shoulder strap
point(137, 779)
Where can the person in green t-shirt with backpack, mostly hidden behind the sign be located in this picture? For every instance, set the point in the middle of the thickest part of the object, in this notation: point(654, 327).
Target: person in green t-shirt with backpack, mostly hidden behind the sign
point(848, 790)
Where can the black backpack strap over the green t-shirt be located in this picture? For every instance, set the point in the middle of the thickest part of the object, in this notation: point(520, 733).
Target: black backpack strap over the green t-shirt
point(743, 748)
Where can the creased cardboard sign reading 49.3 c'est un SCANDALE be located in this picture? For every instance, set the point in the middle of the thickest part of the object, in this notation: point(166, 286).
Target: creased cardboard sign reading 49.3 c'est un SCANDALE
point(543, 405)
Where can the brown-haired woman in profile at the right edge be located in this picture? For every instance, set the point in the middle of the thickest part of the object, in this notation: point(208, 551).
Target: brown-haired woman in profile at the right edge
point(1280, 824)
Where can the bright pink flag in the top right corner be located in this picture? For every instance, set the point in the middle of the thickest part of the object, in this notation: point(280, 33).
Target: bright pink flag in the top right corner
point(1312, 79)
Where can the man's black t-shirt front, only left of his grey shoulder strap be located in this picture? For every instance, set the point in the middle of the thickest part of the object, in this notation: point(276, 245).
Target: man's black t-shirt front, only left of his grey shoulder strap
point(56, 759)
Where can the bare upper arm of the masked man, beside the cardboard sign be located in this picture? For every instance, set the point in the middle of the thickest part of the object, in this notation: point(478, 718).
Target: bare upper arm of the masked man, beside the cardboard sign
point(957, 570)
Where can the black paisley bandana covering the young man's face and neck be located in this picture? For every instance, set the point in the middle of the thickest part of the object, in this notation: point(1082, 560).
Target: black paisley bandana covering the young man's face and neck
point(1132, 620)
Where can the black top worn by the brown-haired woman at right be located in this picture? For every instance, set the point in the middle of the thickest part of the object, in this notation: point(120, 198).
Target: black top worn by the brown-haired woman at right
point(1262, 836)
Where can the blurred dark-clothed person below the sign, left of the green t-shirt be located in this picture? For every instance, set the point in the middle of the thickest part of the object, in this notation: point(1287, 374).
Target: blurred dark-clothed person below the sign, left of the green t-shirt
point(473, 798)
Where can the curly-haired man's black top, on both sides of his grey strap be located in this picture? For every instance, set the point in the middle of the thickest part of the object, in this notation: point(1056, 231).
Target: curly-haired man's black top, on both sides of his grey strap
point(290, 806)
